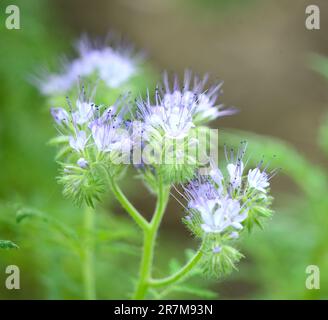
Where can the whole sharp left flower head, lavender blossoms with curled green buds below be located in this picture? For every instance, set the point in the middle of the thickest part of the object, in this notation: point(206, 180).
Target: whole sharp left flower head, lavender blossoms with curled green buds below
point(92, 138)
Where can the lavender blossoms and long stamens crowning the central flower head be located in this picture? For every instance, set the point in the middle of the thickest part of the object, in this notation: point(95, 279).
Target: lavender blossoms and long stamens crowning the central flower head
point(176, 111)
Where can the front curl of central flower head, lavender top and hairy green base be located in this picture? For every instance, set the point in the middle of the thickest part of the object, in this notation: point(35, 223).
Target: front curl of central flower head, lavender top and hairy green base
point(169, 130)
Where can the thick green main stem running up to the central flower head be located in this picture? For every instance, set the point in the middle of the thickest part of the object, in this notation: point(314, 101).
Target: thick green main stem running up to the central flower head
point(149, 243)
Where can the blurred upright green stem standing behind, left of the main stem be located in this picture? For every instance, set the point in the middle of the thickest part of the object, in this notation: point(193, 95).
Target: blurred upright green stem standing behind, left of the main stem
point(88, 255)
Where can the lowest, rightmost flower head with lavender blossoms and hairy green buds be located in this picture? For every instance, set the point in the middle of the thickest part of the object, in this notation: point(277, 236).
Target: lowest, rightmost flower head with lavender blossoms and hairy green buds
point(221, 204)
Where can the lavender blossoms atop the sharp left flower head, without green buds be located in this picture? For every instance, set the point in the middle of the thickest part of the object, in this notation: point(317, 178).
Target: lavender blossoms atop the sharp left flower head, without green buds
point(95, 127)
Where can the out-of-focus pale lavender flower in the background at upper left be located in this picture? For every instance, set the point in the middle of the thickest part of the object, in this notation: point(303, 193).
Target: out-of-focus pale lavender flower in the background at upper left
point(115, 65)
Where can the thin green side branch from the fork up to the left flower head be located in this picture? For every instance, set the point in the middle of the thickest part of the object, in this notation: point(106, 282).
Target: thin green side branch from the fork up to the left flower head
point(126, 204)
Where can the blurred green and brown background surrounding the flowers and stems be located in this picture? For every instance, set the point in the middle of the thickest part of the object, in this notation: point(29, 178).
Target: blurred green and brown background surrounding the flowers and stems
point(274, 71)
